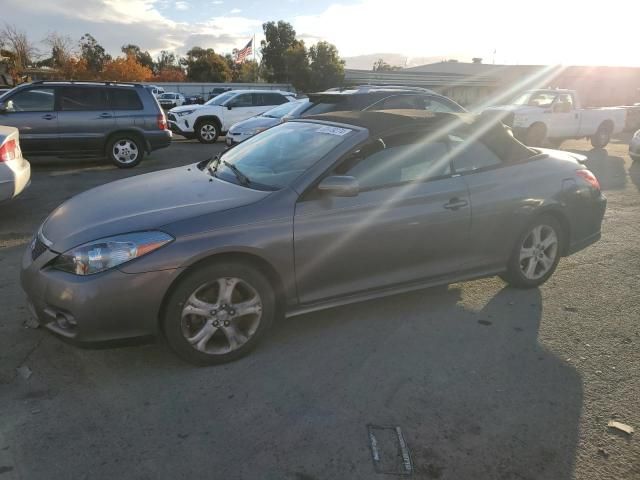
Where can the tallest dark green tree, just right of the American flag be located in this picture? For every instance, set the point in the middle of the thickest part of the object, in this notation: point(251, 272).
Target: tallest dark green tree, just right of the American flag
point(279, 39)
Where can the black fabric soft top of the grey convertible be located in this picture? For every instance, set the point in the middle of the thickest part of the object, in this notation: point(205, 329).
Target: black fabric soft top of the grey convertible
point(487, 130)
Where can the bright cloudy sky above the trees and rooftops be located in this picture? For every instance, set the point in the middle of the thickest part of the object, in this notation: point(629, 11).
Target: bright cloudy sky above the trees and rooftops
point(570, 32)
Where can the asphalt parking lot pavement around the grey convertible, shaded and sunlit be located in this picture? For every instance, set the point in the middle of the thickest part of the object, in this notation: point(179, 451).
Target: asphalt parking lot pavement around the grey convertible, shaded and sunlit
point(484, 381)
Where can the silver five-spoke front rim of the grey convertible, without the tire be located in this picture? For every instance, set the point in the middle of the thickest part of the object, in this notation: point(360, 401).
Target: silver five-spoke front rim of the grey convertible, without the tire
point(221, 316)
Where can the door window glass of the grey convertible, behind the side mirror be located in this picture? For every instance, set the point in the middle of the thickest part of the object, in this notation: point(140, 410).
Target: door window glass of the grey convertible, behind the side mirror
point(397, 159)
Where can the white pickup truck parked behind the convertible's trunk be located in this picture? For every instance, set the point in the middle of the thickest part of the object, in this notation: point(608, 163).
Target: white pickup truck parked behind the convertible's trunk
point(554, 115)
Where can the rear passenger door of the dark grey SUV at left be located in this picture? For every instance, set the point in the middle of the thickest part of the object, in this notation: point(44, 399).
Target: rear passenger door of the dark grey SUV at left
point(84, 118)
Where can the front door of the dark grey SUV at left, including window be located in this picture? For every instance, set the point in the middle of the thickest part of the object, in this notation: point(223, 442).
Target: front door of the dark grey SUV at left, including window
point(32, 112)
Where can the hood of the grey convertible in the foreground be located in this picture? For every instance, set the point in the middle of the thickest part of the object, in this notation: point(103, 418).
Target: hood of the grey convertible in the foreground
point(143, 202)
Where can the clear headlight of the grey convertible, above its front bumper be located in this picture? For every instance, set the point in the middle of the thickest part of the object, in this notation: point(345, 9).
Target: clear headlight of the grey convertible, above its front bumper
point(106, 253)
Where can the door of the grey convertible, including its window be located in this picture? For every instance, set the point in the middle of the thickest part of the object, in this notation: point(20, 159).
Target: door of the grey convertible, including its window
point(409, 222)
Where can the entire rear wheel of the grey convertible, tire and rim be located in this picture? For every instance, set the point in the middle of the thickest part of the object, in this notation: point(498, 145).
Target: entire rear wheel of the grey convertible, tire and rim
point(520, 272)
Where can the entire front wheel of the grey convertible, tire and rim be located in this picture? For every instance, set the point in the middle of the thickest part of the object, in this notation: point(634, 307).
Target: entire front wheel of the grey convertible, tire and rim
point(203, 327)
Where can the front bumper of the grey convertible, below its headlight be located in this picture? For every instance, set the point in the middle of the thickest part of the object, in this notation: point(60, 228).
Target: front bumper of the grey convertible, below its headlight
point(106, 306)
